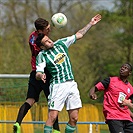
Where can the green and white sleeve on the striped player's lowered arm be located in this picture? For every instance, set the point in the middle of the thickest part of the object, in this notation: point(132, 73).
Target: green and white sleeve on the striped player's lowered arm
point(40, 63)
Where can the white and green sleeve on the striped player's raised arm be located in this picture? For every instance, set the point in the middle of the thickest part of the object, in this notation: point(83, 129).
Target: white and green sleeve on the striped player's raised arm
point(69, 40)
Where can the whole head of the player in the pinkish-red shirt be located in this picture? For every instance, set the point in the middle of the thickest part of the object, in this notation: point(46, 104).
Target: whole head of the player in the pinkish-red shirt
point(125, 70)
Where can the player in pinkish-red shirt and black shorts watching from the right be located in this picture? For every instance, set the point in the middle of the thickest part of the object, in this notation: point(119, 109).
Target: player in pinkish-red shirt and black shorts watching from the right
point(116, 89)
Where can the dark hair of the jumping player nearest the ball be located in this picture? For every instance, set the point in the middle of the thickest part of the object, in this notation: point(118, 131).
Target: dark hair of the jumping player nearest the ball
point(41, 24)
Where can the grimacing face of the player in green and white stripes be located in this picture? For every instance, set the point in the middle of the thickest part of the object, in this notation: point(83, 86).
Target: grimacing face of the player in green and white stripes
point(47, 42)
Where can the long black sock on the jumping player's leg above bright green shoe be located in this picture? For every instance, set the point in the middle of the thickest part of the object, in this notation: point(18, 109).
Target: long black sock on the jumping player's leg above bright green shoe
point(22, 112)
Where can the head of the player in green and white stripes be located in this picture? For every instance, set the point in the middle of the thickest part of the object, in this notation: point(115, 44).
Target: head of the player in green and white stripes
point(44, 42)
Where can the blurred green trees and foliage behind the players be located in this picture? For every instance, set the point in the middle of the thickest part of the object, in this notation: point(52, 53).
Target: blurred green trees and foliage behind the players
point(99, 54)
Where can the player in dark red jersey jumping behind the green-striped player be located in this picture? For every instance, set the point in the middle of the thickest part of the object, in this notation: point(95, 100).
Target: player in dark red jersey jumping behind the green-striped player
point(35, 86)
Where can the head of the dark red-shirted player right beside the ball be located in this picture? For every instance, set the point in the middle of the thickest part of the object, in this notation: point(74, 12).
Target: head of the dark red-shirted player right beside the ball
point(42, 26)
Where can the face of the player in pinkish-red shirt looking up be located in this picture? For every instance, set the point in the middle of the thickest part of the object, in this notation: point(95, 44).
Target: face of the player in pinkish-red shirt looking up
point(125, 70)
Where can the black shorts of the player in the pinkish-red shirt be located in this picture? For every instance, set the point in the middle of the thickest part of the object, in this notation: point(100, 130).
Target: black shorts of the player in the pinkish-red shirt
point(120, 126)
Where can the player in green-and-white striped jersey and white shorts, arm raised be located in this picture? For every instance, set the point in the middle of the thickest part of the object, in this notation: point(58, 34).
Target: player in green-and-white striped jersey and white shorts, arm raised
point(63, 88)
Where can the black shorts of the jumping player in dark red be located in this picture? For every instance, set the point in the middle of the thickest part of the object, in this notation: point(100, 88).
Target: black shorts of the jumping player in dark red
point(36, 86)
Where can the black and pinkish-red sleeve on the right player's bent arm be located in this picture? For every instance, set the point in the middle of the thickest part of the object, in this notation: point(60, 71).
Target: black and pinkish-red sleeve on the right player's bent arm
point(103, 84)
